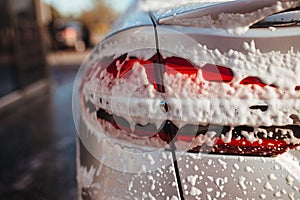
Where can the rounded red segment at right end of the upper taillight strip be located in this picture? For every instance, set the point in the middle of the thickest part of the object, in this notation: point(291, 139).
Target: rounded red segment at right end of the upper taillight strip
point(215, 73)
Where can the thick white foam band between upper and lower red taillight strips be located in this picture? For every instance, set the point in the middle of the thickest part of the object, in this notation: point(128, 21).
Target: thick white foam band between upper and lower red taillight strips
point(206, 102)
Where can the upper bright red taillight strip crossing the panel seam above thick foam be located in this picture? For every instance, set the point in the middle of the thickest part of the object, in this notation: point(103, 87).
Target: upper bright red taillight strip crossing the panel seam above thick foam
point(171, 65)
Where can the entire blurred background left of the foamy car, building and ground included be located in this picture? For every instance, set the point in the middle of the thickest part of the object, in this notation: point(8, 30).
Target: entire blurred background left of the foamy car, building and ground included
point(42, 45)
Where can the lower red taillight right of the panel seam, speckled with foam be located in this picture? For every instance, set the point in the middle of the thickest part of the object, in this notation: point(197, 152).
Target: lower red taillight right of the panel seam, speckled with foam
point(272, 145)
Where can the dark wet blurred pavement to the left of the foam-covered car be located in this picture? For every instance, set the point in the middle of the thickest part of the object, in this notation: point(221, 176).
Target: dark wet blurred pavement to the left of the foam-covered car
point(38, 139)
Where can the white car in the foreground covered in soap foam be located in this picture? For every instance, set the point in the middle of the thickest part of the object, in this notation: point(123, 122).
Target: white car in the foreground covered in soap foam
point(192, 100)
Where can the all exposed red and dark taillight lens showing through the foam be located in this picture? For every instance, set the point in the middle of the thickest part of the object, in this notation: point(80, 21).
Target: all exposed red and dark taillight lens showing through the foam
point(156, 67)
